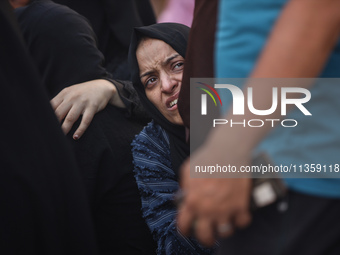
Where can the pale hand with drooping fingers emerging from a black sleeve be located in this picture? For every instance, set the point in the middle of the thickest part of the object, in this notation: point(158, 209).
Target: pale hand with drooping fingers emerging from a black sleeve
point(84, 99)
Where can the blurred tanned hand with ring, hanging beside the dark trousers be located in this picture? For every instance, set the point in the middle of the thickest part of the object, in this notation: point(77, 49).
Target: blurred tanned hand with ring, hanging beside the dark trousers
point(215, 208)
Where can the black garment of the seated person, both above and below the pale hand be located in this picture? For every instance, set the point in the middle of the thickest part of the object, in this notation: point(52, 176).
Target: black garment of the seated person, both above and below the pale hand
point(63, 46)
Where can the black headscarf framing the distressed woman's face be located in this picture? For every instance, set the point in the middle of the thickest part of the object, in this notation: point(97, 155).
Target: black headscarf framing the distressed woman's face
point(176, 35)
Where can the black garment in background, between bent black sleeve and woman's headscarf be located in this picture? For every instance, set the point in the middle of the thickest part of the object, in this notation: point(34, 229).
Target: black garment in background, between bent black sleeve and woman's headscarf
point(113, 22)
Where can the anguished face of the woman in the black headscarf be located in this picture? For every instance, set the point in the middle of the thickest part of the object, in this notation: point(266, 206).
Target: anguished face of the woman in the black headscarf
point(161, 70)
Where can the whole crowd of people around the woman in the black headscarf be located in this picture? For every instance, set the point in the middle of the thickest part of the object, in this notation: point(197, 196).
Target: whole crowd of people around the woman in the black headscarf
point(96, 156)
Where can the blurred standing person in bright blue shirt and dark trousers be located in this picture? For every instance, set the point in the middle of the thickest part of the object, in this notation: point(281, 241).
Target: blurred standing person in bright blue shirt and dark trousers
point(287, 39)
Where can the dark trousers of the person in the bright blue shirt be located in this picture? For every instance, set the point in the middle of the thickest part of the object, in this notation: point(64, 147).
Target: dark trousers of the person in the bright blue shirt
point(307, 227)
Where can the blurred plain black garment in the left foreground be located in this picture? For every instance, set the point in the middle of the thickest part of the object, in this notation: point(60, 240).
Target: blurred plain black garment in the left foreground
point(42, 198)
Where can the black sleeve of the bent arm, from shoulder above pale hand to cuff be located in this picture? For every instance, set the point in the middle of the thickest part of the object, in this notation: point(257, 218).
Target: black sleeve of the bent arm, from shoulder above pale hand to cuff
point(63, 44)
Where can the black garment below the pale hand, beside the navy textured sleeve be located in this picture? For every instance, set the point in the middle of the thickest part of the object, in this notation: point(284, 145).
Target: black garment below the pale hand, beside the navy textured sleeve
point(105, 160)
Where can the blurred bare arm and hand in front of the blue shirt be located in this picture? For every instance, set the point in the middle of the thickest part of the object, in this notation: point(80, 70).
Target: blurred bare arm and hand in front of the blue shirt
point(299, 46)
